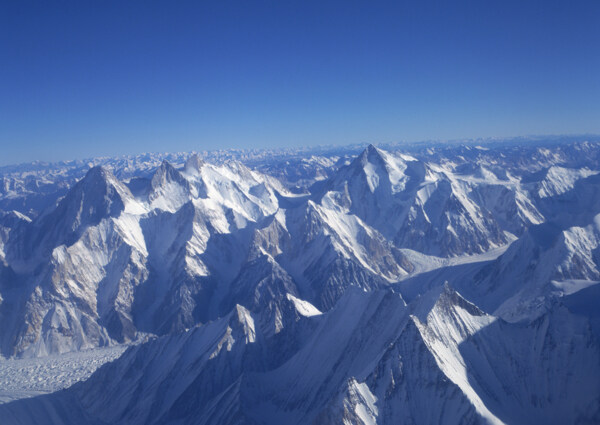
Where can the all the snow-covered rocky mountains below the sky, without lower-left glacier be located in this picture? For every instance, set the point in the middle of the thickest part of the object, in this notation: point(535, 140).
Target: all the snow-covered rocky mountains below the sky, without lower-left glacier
point(428, 283)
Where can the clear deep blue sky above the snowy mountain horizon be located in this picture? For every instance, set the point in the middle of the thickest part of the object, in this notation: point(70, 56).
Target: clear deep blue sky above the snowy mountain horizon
point(88, 78)
